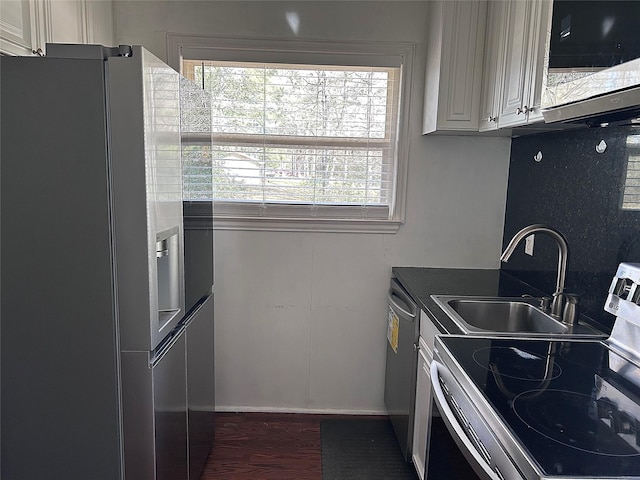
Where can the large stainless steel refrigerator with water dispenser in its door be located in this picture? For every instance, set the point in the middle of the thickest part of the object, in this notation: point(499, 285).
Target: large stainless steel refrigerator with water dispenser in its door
point(99, 352)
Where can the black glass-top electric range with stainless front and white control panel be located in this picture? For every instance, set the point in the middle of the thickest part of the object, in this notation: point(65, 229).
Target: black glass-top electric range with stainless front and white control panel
point(552, 408)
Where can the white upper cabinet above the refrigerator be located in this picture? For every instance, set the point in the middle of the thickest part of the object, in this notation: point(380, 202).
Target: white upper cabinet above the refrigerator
point(27, 25)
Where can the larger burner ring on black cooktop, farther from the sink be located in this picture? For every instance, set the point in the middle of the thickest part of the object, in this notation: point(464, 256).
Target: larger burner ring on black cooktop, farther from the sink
point(574, 420)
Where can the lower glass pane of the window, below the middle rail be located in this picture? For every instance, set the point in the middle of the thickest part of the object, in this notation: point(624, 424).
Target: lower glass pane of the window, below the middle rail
point(301, 175)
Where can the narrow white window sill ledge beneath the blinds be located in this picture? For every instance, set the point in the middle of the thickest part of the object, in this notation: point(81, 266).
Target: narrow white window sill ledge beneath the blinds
point(292, 224)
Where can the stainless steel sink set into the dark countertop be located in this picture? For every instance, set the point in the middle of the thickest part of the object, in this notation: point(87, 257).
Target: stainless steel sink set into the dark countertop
point(506, 316)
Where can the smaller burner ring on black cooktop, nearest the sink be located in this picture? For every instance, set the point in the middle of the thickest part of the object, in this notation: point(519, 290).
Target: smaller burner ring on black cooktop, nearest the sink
point(514, 362)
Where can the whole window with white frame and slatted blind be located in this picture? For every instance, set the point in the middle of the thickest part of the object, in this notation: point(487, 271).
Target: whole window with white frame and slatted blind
point(307, 136)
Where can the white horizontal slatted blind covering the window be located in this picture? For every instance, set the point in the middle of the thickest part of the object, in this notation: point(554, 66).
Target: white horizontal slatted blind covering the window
point(295, 140)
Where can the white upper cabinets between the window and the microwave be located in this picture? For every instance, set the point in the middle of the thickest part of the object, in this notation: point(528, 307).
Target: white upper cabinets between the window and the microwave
point(477, 82)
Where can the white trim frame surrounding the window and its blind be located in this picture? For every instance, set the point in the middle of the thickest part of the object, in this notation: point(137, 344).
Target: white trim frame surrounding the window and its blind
point(212, 47)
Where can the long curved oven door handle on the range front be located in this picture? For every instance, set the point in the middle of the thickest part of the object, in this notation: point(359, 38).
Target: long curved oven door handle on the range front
point(460, 436)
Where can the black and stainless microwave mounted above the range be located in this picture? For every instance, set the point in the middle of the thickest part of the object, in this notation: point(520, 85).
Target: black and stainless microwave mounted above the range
point(592, 70)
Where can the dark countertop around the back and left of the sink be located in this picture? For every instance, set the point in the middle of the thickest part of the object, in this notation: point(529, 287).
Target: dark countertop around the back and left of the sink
point(421, 283)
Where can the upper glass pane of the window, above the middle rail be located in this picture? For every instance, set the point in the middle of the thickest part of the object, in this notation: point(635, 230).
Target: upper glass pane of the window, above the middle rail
point(263, 99)
